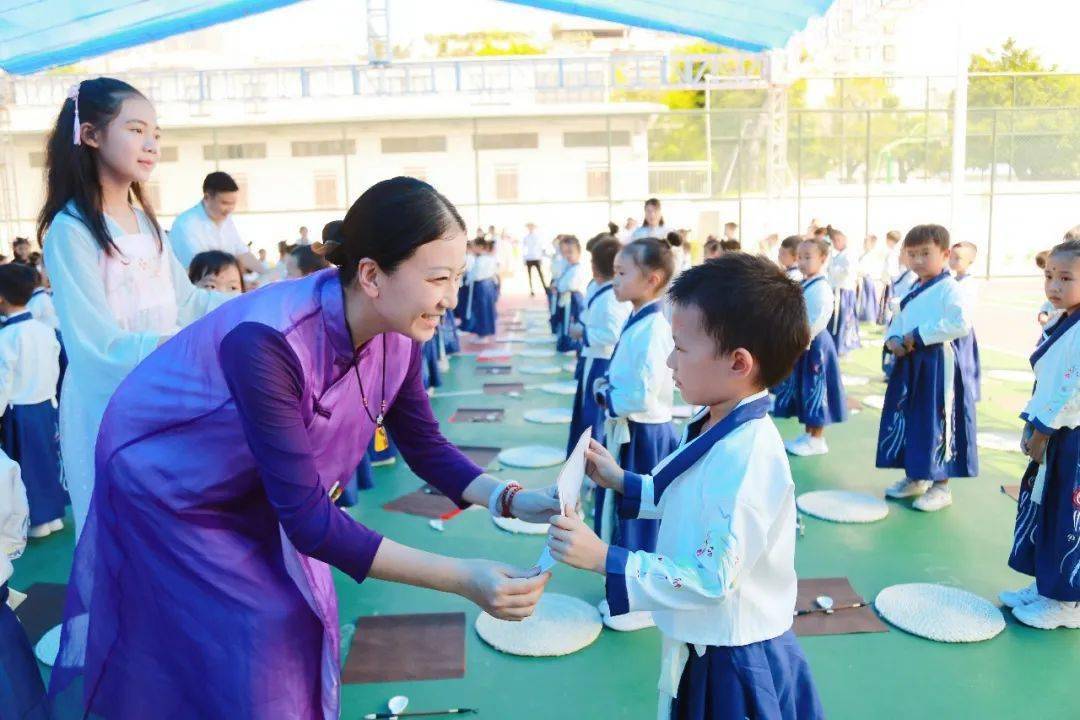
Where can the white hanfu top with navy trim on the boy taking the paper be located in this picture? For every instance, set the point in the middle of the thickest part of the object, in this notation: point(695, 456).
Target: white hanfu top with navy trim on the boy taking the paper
point(724, 569)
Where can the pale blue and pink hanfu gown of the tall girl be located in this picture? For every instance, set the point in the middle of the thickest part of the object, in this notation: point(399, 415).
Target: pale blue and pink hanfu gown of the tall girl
point(114, 309)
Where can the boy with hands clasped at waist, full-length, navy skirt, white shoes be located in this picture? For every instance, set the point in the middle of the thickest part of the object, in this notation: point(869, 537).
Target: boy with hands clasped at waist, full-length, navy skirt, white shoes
point(928, 423)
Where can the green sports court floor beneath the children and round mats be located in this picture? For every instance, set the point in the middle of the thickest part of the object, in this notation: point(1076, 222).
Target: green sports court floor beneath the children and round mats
point(1021, 674)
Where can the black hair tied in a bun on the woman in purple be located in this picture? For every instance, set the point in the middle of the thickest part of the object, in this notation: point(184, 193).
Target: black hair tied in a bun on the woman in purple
point(390, 222)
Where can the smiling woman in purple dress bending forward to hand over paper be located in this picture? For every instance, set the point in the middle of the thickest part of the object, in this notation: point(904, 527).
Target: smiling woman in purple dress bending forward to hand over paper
point(201, 586)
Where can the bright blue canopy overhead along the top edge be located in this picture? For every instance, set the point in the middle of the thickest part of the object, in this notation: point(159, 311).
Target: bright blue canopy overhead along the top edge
point(36, 35)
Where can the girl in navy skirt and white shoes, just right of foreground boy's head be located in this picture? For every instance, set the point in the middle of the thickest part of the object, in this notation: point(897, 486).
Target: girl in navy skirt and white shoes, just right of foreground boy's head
point(814, 392)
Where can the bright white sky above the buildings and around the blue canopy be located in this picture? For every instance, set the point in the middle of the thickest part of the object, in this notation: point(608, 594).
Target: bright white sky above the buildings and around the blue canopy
point(333, 30)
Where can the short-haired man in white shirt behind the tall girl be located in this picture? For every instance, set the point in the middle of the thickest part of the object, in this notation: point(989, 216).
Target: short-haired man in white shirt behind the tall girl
point(209, 226)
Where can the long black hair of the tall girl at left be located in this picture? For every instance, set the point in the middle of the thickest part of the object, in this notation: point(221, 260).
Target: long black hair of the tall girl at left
point(72, 171)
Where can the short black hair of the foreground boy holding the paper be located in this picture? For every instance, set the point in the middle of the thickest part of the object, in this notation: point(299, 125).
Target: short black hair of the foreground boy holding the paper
point(747, 302)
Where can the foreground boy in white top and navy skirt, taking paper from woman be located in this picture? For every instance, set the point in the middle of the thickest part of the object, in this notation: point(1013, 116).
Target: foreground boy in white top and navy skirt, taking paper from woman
point(722, 582)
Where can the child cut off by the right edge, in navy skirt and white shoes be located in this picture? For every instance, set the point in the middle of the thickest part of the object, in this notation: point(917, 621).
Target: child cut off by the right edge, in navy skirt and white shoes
point(1047, 537)
